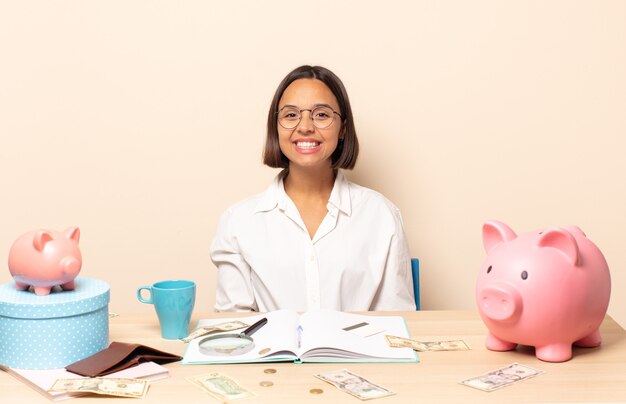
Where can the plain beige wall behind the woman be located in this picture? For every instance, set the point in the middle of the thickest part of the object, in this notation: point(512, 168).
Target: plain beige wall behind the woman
point(141, 121)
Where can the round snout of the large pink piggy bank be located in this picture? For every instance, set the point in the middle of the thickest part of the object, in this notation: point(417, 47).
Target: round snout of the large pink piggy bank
point(500, 302)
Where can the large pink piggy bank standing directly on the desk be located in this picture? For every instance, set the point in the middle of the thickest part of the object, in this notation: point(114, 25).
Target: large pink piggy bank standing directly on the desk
point(548, 289)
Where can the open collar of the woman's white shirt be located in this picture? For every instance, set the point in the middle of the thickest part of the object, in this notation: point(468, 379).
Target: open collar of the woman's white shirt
point(275, 195)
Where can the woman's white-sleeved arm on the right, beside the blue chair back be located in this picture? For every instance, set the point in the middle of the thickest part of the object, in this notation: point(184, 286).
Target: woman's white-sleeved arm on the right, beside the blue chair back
point(396, 288)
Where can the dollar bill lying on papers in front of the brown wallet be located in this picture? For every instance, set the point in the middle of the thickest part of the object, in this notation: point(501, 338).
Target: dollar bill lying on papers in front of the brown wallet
point(112, 387)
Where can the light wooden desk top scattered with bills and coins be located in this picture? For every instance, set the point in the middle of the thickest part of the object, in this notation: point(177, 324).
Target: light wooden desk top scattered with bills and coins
point(593, 375)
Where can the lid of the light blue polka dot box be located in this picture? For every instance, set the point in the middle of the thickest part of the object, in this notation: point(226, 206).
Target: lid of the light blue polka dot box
point(88, 295)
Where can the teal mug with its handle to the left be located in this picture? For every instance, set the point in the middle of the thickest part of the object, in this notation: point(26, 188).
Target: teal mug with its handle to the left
point(173, 302)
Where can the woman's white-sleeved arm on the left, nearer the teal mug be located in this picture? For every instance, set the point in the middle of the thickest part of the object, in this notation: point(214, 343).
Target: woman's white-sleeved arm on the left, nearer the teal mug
point(234, 282)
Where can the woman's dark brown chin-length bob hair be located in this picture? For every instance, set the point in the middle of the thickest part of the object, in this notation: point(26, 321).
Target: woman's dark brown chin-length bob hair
point(347, 149)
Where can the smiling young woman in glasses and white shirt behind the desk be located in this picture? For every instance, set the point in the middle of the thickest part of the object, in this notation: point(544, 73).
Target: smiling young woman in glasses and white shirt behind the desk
point(312, 239)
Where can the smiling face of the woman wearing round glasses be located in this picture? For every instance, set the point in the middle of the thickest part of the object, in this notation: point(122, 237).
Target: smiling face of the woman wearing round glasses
point(306, 145)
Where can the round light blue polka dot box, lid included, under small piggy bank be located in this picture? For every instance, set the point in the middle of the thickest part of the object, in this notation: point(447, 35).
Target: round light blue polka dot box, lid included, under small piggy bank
point(53, 331)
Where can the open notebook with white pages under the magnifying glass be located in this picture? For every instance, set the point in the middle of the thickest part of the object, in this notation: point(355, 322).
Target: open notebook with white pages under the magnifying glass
point(314, 336)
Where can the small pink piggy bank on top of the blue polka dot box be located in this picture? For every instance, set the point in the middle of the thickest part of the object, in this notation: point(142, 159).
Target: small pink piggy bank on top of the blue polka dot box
point(43, 259)
